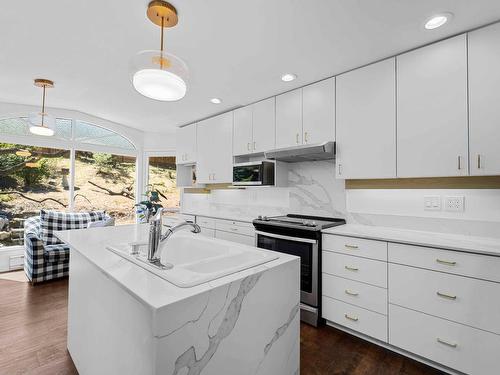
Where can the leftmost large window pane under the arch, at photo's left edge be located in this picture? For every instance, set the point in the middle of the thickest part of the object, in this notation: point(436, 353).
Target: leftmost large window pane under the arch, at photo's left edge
point(31, 178)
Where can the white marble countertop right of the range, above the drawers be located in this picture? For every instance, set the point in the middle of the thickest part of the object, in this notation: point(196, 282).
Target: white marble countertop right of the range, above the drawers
point(481, 245)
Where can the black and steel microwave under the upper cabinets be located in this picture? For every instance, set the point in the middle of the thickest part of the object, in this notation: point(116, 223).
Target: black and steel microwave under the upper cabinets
point(255, 173)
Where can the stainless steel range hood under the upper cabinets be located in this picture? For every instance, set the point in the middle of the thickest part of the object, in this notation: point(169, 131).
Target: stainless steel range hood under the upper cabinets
point(319, 151)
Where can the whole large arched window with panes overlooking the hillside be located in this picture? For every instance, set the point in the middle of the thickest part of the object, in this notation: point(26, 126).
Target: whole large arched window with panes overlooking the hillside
point(34, 177)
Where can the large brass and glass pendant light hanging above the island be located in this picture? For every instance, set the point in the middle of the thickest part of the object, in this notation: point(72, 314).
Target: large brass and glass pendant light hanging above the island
point(157, 74)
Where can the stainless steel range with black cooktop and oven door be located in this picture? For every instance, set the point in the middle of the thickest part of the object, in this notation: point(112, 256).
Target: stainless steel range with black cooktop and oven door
point(299, 235)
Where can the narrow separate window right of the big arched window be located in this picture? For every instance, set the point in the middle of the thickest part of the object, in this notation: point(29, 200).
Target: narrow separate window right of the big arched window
point(162, 180)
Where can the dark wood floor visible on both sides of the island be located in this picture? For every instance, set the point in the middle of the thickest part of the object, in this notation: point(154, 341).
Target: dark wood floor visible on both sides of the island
point(33, 339)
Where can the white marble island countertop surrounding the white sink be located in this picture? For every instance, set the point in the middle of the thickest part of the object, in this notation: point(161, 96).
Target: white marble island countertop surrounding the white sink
point(142, 284)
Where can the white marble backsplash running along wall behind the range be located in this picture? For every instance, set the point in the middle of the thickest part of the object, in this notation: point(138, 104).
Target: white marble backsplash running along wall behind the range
point(314, 190)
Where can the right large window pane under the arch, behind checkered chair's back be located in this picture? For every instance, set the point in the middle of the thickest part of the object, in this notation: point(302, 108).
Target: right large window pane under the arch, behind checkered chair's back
point(105, 181)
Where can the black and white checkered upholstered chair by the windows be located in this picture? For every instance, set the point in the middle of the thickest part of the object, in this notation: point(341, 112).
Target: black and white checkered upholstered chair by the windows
point(45, 256)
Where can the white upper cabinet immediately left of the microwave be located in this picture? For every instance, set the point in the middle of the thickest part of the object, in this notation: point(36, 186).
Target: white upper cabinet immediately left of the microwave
point(215, 157)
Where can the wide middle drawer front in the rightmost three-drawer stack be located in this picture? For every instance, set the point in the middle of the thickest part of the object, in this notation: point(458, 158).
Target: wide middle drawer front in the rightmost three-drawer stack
point(461, 299)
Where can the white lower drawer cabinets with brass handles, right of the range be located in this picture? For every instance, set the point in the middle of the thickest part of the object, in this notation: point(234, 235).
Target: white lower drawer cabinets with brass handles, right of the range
point(439, 304)
